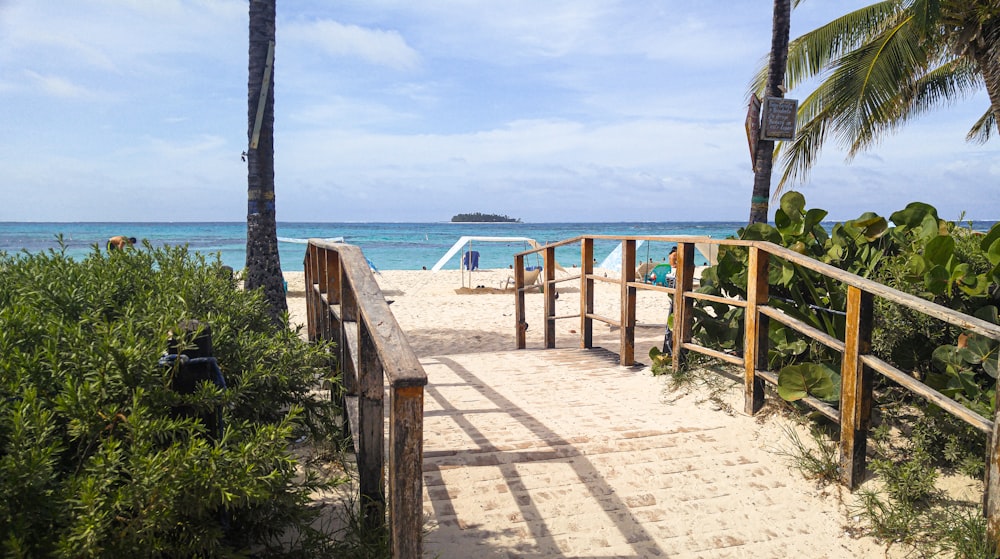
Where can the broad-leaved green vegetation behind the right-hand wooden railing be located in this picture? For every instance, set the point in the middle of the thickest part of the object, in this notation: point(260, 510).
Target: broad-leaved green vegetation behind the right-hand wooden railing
point(916, 252)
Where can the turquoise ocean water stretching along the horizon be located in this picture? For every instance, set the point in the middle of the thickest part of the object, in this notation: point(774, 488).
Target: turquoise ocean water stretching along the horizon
point(389, 246)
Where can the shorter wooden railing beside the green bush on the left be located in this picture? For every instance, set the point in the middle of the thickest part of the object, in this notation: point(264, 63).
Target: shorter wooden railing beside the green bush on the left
point(345, 305)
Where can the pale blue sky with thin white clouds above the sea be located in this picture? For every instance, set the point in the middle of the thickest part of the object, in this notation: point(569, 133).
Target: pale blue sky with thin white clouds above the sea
point(395, 110)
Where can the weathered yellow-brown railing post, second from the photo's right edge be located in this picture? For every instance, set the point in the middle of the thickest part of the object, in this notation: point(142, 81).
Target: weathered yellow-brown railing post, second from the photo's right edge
point(855, 388)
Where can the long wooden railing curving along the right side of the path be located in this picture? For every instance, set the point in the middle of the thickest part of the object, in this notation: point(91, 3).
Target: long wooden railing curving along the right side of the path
point(858, 363)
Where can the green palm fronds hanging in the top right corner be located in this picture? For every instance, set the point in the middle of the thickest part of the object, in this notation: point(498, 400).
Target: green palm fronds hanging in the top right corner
point(884, 64)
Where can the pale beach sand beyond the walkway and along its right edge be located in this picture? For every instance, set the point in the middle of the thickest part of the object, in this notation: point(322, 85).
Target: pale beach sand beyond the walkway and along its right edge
point(444, 321)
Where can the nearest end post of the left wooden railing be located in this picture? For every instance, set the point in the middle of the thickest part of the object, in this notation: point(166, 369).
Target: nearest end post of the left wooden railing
point(406, 443)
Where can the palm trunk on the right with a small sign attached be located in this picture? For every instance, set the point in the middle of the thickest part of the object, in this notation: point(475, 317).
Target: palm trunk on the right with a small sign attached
point(764, 156)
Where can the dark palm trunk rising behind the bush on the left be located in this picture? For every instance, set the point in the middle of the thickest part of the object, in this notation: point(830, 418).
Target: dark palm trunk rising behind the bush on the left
point(263, 263)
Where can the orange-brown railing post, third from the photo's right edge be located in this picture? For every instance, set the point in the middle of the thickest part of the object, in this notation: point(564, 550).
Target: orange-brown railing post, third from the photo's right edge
point(755, 342)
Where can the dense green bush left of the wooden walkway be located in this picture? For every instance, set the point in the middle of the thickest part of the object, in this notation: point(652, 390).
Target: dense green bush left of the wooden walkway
point(94, 461)
